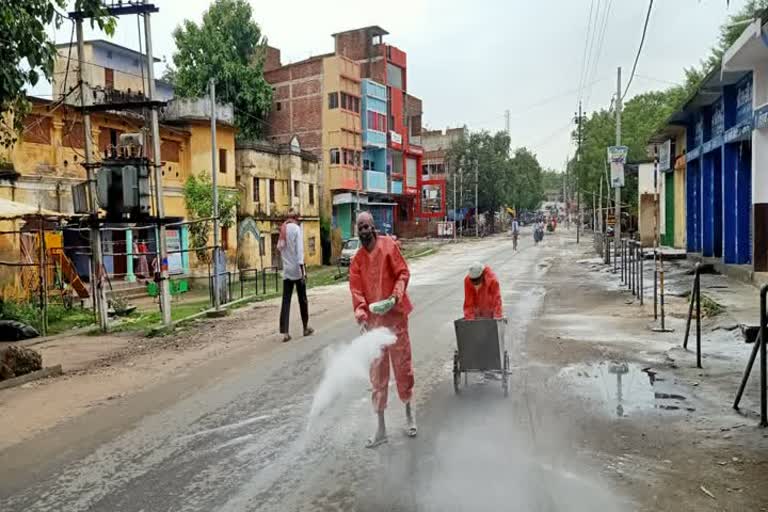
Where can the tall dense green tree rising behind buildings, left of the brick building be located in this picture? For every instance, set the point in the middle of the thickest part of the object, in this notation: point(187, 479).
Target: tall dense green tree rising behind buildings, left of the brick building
point(227, 46)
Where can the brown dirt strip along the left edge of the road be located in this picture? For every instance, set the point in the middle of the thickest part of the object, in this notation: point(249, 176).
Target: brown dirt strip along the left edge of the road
point(101, 369)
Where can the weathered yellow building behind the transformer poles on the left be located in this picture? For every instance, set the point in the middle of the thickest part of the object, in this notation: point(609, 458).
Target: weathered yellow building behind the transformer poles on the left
point(47, 160)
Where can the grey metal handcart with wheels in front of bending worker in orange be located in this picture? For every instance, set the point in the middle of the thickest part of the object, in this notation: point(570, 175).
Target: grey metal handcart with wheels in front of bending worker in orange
point(481, 347)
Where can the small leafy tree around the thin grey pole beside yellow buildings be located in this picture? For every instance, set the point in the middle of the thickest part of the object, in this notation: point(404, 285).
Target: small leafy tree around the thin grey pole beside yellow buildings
point(198, 200)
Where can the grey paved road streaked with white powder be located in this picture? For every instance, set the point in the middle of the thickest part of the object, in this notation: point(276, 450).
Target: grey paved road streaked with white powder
point(240, 441)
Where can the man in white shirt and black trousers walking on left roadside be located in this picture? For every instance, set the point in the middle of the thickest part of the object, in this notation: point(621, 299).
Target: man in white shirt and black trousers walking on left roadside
point(291, 247)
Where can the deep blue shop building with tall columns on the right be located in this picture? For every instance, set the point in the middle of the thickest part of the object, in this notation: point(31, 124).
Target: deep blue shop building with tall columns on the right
point(718, 121)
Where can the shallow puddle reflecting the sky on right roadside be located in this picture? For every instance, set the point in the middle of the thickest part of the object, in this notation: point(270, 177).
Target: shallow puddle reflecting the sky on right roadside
point(622, 389)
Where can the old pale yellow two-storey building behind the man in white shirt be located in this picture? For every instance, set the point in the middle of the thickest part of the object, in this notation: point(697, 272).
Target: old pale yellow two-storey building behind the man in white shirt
point(271, 179)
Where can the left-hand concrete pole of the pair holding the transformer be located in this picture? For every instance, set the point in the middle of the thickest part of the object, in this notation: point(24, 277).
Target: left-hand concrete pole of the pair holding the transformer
point(99, 295)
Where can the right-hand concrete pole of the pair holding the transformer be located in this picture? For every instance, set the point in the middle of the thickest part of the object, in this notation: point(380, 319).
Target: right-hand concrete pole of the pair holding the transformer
point(162, 248)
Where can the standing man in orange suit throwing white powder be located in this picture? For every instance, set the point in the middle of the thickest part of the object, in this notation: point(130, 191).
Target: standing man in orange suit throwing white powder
point(378, 278)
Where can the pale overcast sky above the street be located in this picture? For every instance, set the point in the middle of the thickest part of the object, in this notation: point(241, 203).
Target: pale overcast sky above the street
point(471, 60)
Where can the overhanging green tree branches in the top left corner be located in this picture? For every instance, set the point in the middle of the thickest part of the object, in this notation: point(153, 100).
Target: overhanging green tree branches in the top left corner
point(27, 52)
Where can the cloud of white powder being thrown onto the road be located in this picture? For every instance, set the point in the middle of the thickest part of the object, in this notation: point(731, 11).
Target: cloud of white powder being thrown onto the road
point(347, 367)
